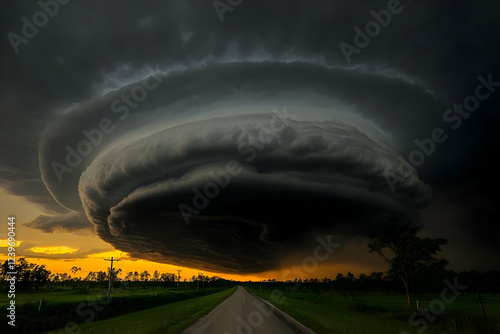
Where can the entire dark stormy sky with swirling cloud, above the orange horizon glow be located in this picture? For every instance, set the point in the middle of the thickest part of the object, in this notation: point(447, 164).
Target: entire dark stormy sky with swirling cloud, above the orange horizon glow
point(156, 98)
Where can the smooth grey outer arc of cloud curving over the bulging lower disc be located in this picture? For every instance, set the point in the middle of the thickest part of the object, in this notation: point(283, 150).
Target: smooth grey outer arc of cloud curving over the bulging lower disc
point(194, 93)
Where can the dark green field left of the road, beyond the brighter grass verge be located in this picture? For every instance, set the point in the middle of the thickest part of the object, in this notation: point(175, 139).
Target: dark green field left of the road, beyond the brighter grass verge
point(63, 306)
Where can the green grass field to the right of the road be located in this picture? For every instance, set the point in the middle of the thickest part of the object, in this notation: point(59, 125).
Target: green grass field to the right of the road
point(380, 313)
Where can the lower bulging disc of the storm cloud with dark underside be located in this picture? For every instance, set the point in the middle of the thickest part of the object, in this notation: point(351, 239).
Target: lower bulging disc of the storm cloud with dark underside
point(304, 178)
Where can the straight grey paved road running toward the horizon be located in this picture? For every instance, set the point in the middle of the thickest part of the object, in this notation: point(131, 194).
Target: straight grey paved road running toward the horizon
point(244, 313)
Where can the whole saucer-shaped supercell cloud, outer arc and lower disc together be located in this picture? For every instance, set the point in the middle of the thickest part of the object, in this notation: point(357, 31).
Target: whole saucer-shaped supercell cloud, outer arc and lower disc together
point(304, 163)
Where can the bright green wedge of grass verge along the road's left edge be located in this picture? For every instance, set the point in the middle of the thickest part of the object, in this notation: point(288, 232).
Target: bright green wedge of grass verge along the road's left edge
point(171, 318)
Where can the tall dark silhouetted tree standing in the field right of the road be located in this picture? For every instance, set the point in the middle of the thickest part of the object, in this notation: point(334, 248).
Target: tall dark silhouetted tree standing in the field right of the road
point(406, 253)
